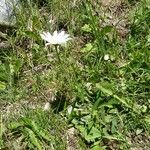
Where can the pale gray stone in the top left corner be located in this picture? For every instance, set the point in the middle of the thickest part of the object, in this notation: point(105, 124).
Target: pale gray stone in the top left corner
point(7, 16)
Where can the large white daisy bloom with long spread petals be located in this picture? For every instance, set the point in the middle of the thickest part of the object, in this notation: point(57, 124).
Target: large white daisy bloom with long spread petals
point(55, 38)
